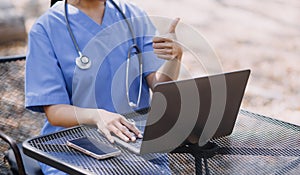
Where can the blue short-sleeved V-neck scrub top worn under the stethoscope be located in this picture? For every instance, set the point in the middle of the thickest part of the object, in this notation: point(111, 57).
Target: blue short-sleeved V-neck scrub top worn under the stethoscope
point(52, 76)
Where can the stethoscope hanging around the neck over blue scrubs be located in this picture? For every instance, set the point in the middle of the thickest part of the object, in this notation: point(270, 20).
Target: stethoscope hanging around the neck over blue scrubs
point(83, 62)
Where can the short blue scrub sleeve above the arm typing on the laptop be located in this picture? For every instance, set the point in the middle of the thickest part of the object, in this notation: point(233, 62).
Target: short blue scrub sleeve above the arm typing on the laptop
point(44, 83)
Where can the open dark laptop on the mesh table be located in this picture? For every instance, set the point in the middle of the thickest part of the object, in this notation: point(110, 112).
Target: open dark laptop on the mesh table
point(191, 111)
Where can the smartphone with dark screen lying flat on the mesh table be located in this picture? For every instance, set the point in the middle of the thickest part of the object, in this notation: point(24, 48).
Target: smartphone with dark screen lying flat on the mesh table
point(93, 147)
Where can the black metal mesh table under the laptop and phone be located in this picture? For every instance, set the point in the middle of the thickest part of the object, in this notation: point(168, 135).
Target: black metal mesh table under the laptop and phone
point(258, 145)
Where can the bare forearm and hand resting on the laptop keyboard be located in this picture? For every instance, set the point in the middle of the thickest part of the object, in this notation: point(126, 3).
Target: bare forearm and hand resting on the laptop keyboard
point(107, 122)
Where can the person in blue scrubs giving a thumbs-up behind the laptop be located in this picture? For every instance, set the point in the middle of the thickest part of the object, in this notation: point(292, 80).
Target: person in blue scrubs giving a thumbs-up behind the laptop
point(70, 96)
